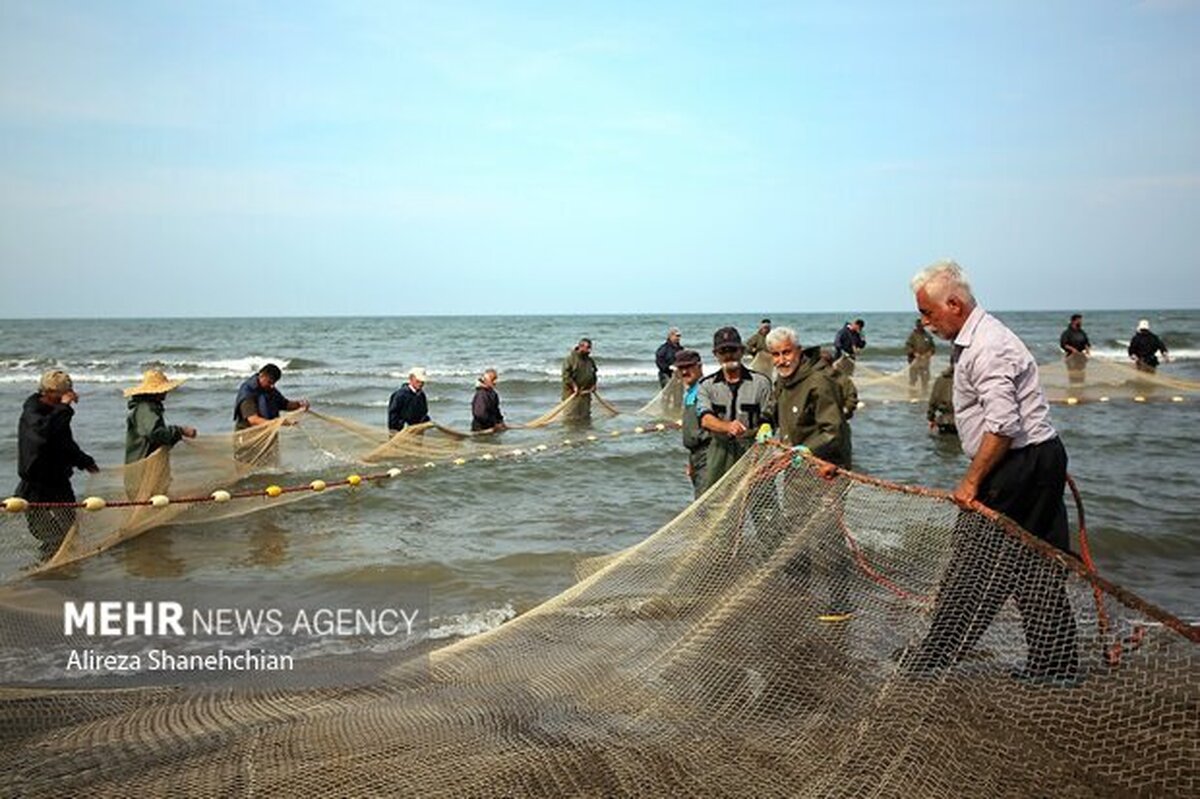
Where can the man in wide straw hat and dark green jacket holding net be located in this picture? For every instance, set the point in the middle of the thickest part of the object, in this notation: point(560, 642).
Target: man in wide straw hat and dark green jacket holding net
point(146, 432)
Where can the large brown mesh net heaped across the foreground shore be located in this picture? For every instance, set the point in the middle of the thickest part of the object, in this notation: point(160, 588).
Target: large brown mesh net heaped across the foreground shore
point(713, 659)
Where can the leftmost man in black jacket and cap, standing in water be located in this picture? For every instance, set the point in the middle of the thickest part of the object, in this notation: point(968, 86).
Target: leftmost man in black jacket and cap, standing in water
point(46, 456)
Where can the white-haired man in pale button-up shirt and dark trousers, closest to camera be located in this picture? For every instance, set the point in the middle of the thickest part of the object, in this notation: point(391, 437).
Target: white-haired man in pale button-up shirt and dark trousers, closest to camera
point(1019, 468)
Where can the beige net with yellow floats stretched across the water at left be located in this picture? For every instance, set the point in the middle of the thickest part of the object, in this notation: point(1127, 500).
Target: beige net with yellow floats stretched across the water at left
point(247, 462)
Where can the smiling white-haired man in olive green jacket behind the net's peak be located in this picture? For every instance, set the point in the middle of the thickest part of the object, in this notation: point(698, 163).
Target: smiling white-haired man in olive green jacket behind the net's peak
point(808, 406)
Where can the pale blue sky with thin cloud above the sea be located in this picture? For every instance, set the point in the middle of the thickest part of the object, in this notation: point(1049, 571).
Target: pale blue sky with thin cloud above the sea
point(389, 159)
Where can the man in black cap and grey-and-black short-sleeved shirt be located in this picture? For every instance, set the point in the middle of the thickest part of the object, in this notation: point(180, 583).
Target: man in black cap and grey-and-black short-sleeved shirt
point(731, 405)
